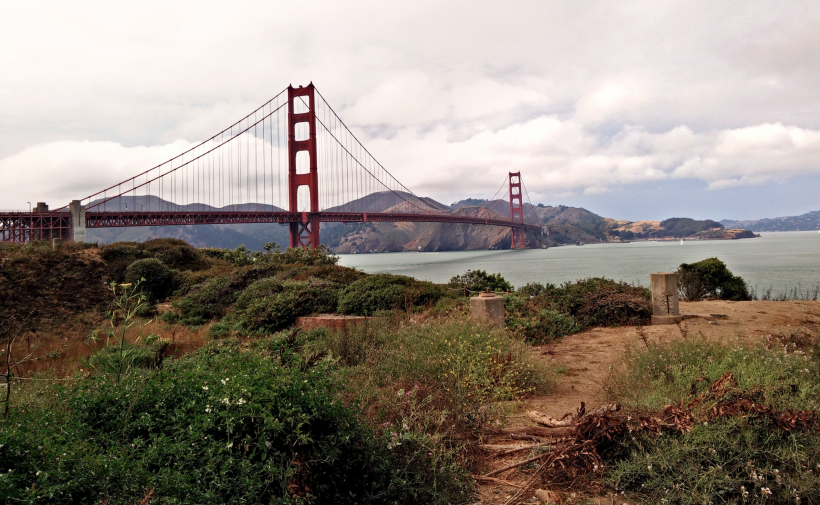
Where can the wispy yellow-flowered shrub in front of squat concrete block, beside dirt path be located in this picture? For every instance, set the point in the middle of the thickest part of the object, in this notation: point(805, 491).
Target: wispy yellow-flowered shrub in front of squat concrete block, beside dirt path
point(460, 367)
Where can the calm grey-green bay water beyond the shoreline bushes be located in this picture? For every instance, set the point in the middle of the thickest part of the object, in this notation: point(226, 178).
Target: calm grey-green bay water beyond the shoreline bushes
point(778, 260)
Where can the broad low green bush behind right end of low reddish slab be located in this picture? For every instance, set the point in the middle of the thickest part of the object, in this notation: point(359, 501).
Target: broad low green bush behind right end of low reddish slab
point(378, 292)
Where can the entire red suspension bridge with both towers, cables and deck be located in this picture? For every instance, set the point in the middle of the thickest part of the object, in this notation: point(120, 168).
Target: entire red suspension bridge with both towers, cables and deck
point(291, 161)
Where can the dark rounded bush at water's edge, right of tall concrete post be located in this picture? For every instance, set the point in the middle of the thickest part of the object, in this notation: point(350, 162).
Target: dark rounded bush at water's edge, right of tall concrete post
point(710, 278)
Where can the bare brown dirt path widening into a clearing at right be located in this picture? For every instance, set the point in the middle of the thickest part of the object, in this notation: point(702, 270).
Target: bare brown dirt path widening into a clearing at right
point(588, 357)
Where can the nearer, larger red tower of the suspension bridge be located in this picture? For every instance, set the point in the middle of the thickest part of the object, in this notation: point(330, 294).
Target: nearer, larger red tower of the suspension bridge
point(304, 234)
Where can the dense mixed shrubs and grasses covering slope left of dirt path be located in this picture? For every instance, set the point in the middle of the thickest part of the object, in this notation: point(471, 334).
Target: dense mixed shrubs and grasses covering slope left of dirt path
point(381, 413)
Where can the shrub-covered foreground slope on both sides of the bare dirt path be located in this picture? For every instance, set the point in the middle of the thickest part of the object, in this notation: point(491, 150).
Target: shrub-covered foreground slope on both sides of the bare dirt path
point(397, 409)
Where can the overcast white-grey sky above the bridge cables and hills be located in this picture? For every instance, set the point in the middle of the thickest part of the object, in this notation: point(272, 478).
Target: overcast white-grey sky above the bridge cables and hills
point(634, 110)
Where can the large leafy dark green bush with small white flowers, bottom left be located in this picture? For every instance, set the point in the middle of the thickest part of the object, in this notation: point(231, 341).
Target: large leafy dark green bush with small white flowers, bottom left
point(218, 426)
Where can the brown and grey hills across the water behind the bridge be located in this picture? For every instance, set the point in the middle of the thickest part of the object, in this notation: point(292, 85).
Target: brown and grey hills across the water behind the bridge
point(560, 225)
